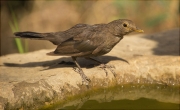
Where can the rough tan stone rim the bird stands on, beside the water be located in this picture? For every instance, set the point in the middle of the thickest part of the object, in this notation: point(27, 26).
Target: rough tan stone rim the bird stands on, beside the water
point(28, 81)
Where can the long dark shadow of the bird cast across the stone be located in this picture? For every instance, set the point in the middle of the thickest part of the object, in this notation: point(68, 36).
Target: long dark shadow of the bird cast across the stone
point(66, 62)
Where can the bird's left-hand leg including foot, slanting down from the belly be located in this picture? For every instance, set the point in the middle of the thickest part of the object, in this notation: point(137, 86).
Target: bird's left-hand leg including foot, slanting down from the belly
point(80, 71)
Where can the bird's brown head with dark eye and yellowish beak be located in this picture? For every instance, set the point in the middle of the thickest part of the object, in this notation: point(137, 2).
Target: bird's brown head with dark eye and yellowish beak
point(122, 27)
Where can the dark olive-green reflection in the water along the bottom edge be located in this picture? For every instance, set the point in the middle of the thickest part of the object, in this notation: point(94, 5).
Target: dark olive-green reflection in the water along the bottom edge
point(142, 103)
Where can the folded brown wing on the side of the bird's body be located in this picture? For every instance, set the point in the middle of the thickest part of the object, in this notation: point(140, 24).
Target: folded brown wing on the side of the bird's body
point(88, 40)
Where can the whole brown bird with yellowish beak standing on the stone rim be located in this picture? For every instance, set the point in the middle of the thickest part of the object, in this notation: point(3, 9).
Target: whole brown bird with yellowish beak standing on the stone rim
point(83, 40)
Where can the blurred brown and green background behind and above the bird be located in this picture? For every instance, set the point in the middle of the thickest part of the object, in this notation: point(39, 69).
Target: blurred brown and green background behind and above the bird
point(54, 15)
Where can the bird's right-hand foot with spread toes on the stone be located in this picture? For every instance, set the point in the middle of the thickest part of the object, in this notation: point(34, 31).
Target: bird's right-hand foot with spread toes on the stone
point(110, 67)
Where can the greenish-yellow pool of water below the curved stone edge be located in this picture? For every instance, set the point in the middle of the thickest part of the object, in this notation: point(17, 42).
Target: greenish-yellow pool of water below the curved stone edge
point(129, 96)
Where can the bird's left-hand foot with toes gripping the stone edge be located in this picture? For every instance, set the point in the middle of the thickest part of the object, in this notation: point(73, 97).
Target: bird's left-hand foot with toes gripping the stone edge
point(85, 79)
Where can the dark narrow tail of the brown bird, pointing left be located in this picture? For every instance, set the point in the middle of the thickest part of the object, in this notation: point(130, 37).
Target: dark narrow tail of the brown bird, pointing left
point(31, 35)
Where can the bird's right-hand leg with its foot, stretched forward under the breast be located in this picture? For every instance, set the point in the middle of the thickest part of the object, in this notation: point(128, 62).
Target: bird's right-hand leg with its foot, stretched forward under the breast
point(104, 66)
